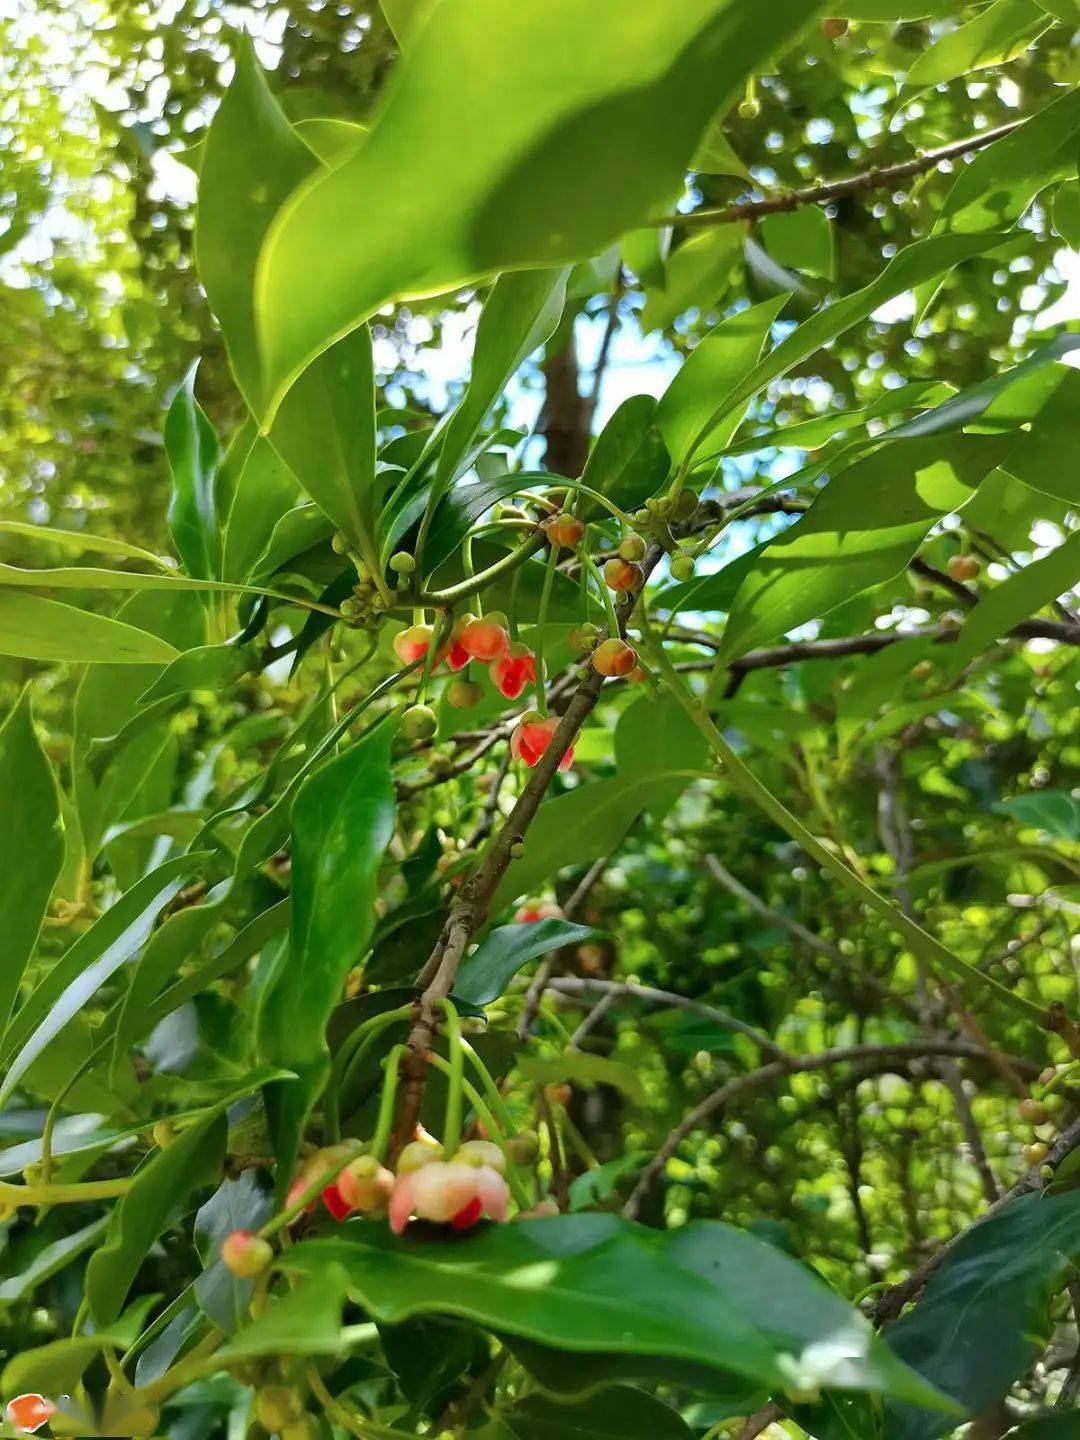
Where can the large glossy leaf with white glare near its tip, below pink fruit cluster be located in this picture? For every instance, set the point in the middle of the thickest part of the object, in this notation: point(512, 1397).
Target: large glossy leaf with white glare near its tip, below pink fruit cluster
point(597, 1284)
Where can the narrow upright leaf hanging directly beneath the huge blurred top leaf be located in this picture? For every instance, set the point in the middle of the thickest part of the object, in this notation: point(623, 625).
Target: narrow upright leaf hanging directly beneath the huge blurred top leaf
point(519, 316)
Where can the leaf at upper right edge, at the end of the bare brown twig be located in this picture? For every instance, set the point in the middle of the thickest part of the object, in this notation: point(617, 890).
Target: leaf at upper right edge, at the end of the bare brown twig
point(1000, 184)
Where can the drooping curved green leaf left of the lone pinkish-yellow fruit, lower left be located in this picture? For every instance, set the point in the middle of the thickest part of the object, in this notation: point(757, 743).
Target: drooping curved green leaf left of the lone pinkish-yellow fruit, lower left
point(194, 1160)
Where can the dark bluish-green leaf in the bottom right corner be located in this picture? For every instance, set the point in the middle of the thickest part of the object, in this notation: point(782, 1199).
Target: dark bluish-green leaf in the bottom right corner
point(984, 1315)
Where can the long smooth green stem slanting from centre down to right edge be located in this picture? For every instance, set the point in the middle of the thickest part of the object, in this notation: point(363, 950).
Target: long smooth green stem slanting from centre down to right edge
point(925, 945)
